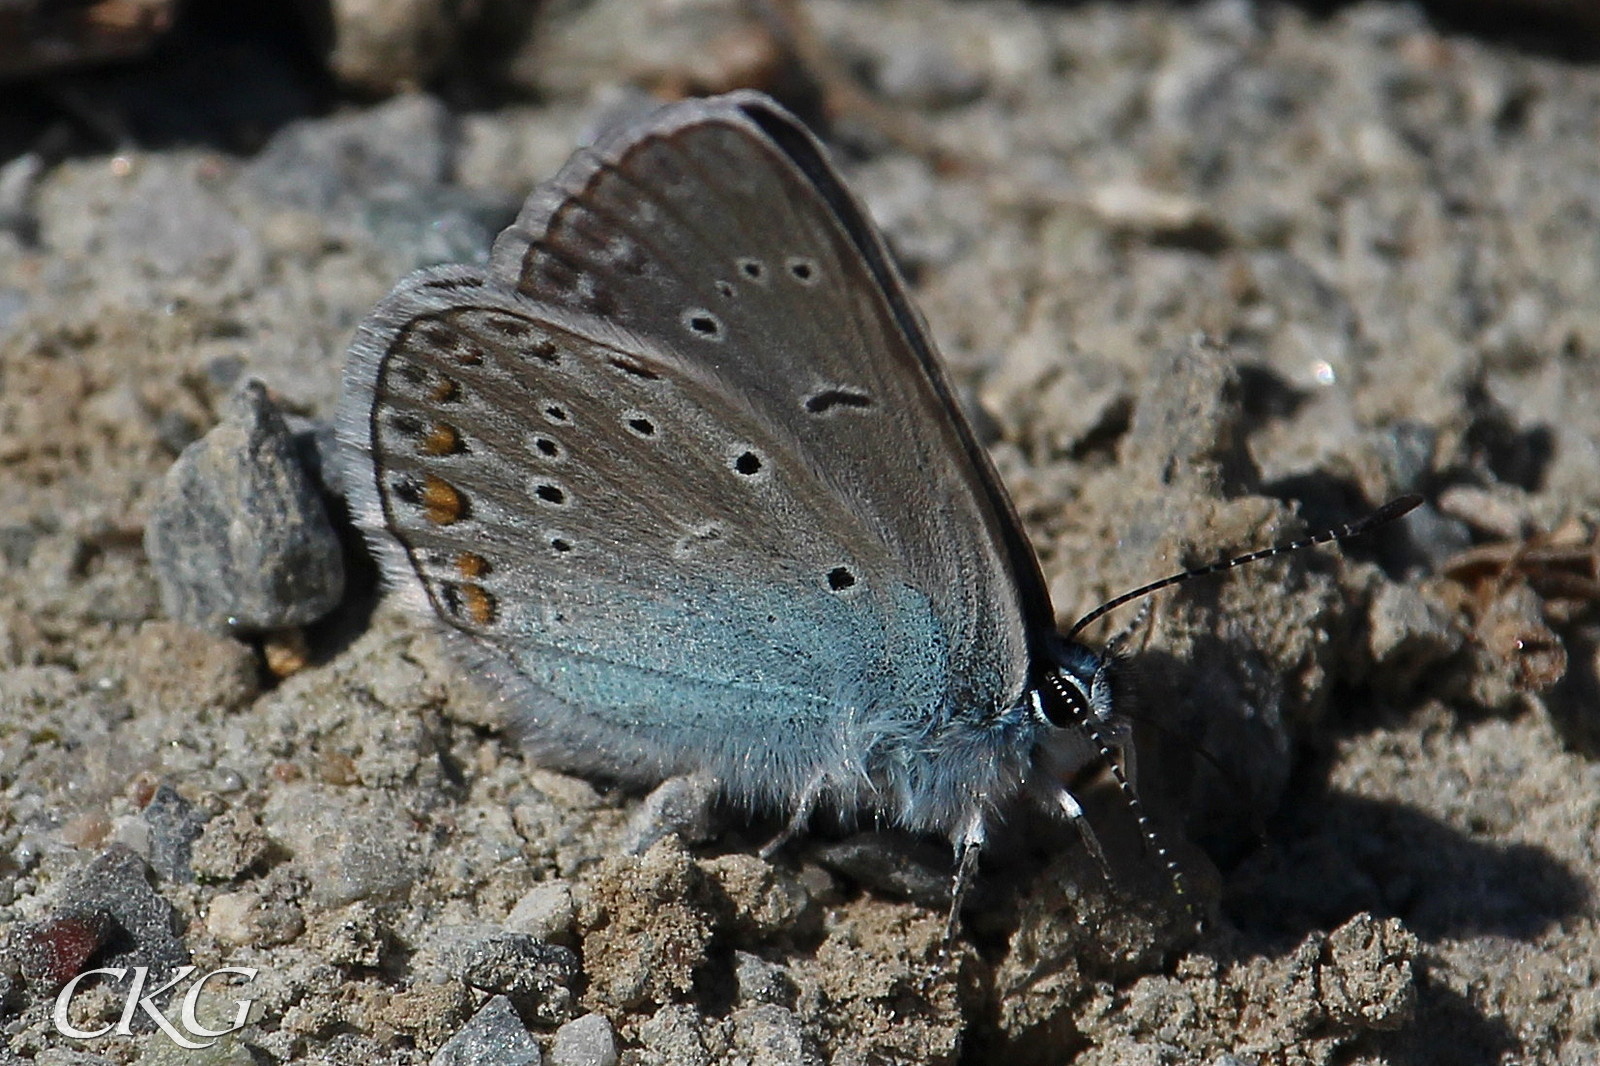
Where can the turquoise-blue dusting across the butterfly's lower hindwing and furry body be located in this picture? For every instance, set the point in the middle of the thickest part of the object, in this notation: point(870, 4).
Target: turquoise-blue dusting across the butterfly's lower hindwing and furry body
point(862, 694)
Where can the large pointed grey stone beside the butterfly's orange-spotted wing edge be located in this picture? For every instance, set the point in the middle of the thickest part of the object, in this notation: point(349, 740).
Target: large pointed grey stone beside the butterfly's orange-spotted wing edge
point(239, 537)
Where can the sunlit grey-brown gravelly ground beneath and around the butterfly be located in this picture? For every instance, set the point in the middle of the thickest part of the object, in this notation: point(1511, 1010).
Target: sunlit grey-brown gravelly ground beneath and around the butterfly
point(1210, 276)
